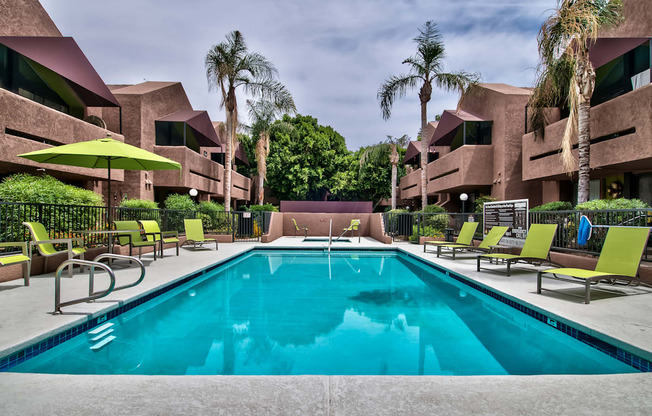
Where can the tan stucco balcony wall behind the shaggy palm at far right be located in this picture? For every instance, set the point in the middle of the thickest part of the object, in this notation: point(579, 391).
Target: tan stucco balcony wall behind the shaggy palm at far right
point(621, 131)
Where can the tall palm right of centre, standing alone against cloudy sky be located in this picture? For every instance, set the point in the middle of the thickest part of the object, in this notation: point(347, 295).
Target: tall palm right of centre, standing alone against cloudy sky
point(425, 69)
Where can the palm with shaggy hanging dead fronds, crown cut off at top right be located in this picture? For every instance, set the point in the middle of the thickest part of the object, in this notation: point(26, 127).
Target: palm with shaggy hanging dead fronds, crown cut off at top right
point(566, 75)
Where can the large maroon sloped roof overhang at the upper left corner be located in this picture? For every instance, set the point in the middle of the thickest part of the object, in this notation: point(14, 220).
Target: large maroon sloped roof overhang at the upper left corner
point(63, 56)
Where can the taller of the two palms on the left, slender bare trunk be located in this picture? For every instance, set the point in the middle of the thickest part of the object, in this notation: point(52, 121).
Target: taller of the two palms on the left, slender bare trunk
point(230, 65)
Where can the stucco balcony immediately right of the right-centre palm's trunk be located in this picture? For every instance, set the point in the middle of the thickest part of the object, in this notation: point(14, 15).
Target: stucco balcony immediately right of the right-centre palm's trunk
point(464, 169)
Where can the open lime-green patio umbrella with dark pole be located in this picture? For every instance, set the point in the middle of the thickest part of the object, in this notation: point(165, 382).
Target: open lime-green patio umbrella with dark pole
point(103, 154)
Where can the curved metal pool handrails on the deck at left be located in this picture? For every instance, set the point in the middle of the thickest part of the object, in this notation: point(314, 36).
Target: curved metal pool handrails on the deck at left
point(95, 263)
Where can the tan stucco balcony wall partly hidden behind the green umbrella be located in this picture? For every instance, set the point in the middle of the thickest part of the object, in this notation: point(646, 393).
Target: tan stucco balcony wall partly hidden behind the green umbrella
point(26, 126)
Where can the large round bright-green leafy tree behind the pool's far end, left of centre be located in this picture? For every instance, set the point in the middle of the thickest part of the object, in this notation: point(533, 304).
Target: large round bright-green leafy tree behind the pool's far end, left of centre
point(304, 158)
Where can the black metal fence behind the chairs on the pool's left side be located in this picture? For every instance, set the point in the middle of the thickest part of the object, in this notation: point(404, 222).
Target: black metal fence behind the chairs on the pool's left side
point(63, 220)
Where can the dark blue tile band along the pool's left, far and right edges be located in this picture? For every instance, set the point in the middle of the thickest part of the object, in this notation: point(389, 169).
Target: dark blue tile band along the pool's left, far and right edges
point(613, 347)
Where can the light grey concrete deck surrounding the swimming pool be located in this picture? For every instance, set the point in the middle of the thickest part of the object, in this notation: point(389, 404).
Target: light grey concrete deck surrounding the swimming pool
point(26, 314)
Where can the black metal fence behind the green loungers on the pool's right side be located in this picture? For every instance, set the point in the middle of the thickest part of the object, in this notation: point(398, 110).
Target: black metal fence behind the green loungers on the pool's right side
point(411, 226)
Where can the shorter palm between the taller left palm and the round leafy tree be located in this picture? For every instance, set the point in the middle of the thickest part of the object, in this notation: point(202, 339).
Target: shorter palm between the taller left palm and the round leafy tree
point(263, 114)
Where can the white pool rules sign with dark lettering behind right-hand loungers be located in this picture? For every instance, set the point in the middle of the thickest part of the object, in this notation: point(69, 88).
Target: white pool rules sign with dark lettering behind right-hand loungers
point(513, 214)
